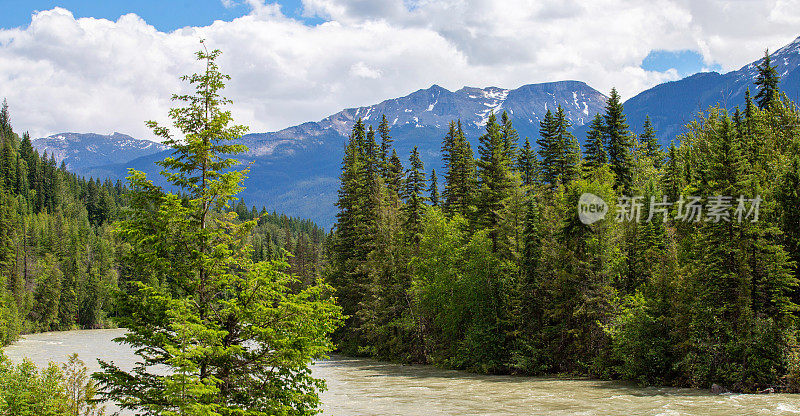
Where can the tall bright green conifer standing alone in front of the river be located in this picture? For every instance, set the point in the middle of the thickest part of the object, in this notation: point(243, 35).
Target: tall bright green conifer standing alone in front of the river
point(234, 337)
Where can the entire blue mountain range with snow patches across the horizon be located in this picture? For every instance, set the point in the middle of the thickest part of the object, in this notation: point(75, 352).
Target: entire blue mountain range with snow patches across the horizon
point(295, 170)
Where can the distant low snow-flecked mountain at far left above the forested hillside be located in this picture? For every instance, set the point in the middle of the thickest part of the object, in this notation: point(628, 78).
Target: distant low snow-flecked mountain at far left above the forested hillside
point(83, 151)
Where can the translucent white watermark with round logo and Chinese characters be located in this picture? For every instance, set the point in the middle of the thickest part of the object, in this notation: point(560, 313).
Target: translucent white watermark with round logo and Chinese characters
point(717, 208)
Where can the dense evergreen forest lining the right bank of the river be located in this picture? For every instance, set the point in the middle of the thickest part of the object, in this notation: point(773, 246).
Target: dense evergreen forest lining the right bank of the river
point(490, 268)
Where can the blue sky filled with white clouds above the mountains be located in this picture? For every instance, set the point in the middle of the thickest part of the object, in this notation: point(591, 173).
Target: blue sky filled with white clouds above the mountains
point(105, 66)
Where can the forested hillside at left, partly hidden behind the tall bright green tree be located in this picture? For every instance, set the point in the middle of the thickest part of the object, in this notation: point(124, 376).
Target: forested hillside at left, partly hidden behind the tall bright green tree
point(59, 254)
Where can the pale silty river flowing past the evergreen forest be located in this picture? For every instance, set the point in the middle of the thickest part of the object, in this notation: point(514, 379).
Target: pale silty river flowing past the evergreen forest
point(374, 388)
